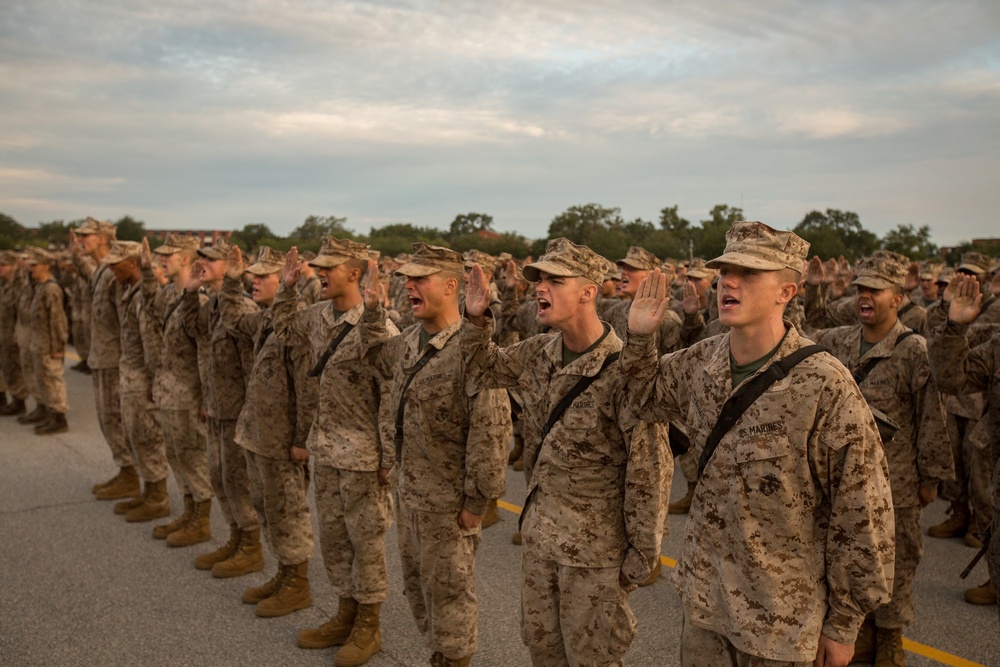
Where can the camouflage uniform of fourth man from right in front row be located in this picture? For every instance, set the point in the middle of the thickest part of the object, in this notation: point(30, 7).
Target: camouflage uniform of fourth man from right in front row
point(355, 511)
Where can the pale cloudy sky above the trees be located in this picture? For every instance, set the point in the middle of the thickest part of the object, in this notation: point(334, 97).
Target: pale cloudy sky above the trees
point(202, 114)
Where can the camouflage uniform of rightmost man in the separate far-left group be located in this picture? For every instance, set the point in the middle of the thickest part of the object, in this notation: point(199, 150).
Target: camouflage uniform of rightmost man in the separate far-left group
point(49, 331)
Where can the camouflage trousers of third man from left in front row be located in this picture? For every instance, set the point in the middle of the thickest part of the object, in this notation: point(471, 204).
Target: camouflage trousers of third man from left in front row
point(184, 434)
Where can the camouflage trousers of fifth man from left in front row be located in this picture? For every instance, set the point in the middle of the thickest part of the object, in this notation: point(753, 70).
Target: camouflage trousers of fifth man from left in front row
point(278, 488)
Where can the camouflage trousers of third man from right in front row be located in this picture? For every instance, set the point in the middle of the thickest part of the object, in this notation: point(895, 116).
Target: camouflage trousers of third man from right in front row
point(439, 578)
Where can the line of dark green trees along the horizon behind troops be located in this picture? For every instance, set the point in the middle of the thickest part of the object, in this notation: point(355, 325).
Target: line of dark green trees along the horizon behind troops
point(831, 233)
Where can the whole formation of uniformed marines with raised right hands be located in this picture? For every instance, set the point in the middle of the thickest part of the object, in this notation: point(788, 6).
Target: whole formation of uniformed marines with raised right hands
point(394, 387)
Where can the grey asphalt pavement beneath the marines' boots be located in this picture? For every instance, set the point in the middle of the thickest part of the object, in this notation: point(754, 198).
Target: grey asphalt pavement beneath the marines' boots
point(80, 586)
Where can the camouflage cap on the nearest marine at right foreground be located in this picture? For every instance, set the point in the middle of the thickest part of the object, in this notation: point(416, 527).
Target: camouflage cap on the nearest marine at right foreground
point(754, 245)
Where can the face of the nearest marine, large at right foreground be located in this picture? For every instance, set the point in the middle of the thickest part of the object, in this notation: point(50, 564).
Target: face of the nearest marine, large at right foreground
point(749, 296)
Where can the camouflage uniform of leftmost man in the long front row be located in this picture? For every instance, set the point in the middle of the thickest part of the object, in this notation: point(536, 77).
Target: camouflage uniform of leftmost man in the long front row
point(105, 345)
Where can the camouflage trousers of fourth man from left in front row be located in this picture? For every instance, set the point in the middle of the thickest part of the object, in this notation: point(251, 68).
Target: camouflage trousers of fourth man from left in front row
point(227, 467)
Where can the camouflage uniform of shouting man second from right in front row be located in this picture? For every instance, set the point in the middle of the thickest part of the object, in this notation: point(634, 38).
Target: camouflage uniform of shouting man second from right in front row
point(596, 499)
